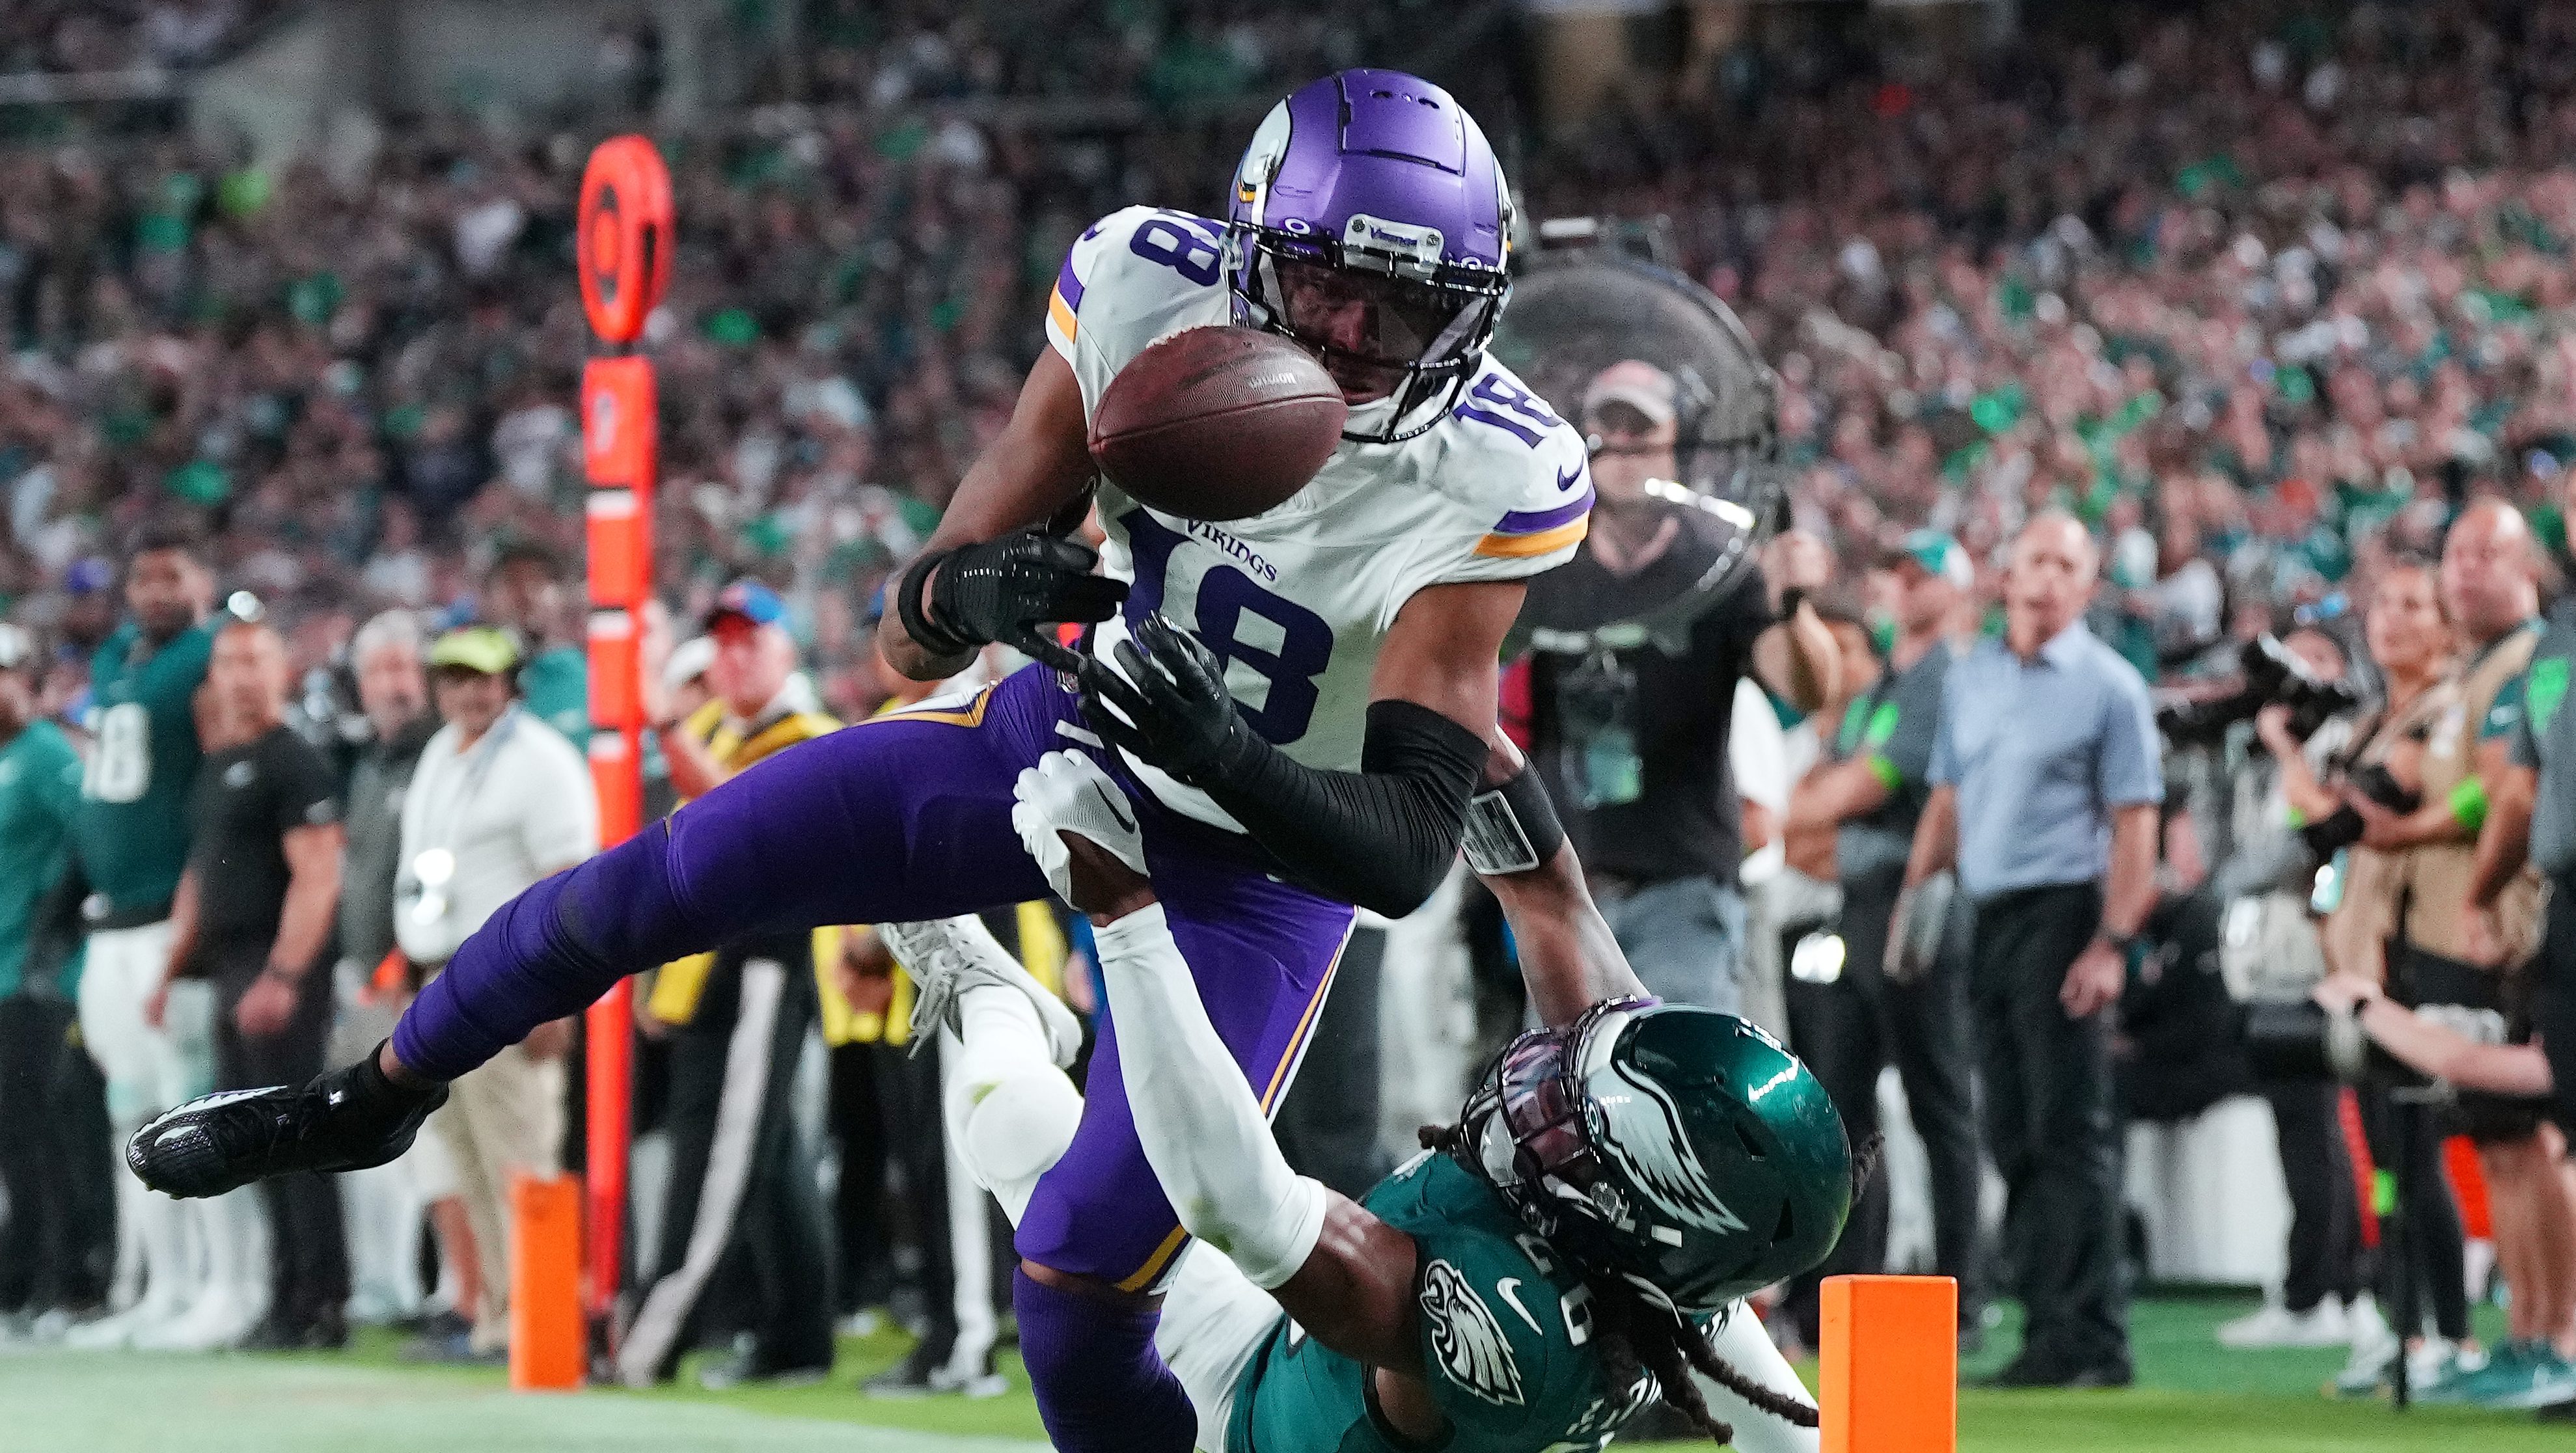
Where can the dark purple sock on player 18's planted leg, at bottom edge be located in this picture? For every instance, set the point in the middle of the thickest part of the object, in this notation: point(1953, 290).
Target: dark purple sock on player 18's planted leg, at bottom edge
point(1101, 1385)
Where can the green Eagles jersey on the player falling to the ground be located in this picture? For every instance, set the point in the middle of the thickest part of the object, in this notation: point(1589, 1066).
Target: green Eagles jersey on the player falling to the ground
point(1506, 1341)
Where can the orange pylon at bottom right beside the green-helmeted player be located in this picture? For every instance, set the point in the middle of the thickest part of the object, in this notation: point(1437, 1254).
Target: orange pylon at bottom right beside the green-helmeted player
point(1889, 1367)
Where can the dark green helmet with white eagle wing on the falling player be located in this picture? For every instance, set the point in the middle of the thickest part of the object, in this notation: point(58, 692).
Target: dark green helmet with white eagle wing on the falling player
point(1676, 1148)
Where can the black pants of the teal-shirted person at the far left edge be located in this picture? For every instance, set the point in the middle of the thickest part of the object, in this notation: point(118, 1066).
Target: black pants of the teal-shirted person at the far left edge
point(58, 1240)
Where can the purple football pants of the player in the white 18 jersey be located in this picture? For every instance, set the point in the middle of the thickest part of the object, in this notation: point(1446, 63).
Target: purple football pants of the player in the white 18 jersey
point(908, 818)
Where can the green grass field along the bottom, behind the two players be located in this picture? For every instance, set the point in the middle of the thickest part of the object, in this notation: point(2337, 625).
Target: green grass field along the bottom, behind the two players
point(2193, 1398)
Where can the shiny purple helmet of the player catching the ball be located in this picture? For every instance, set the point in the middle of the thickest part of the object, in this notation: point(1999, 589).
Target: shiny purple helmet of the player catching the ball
point(1372, 225)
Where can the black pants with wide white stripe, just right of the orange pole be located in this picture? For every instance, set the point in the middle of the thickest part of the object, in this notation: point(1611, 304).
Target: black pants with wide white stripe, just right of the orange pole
point(746, 1184)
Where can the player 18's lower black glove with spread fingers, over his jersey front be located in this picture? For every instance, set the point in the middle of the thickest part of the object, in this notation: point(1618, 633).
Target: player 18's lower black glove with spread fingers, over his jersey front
point(1171, 707)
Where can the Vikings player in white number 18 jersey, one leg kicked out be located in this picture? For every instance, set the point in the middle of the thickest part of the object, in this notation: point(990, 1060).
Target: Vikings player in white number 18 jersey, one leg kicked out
point(1297, 715)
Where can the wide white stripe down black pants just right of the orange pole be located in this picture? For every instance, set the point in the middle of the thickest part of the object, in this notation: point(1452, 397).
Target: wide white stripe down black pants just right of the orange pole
point(728, 1173)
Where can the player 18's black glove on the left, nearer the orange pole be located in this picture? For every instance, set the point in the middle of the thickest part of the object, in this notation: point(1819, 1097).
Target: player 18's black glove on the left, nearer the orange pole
point(1003, 591)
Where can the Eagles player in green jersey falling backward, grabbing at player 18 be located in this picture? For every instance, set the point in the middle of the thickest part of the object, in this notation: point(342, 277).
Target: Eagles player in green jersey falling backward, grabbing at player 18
point(1573, 1246)
